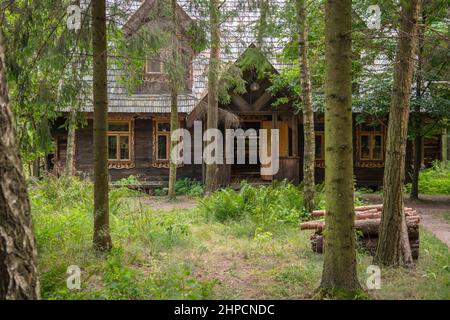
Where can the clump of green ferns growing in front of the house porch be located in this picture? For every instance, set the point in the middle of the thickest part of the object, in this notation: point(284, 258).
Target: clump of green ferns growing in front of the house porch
point(265, 207)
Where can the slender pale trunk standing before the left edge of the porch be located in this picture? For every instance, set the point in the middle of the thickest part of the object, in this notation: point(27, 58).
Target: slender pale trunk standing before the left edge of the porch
point(213, 91)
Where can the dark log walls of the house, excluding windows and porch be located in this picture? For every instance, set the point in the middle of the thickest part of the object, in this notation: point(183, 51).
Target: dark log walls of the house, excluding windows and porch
point(143, 154)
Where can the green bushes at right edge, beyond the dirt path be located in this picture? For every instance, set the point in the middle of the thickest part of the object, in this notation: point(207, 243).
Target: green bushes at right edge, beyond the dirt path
point(435, 180)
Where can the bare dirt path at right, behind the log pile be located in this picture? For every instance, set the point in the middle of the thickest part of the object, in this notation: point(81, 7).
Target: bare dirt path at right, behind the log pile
point(430, 208)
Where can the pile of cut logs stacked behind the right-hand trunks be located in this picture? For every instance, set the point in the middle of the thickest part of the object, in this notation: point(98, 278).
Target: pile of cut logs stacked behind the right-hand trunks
point(368, 219)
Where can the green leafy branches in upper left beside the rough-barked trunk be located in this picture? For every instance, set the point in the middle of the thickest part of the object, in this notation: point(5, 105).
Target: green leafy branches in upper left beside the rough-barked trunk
point(40, 54)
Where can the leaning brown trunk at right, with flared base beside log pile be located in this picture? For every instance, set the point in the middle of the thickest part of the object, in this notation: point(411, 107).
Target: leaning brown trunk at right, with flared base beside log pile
point(393, 244)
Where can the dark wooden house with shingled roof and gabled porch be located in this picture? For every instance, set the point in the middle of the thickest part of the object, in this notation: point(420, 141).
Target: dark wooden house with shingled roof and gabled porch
point(139, 126)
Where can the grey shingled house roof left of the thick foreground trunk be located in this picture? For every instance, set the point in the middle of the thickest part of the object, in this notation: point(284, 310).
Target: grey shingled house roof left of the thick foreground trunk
point(238, 33)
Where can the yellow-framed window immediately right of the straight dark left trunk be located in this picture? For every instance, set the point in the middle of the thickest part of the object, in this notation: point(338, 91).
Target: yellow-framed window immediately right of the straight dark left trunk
point(119, 137)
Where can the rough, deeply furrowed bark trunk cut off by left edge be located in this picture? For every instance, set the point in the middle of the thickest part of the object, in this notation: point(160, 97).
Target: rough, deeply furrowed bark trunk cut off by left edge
point(18, 255)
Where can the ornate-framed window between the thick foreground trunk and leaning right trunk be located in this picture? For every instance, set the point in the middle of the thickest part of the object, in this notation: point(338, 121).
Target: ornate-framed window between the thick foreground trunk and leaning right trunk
point(371, 142)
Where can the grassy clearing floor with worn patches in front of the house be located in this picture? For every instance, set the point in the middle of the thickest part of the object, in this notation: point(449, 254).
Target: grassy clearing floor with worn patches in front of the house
point(185, 254)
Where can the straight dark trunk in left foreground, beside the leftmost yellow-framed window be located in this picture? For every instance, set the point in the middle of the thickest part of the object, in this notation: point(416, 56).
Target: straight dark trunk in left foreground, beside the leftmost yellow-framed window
point(102, 238)
